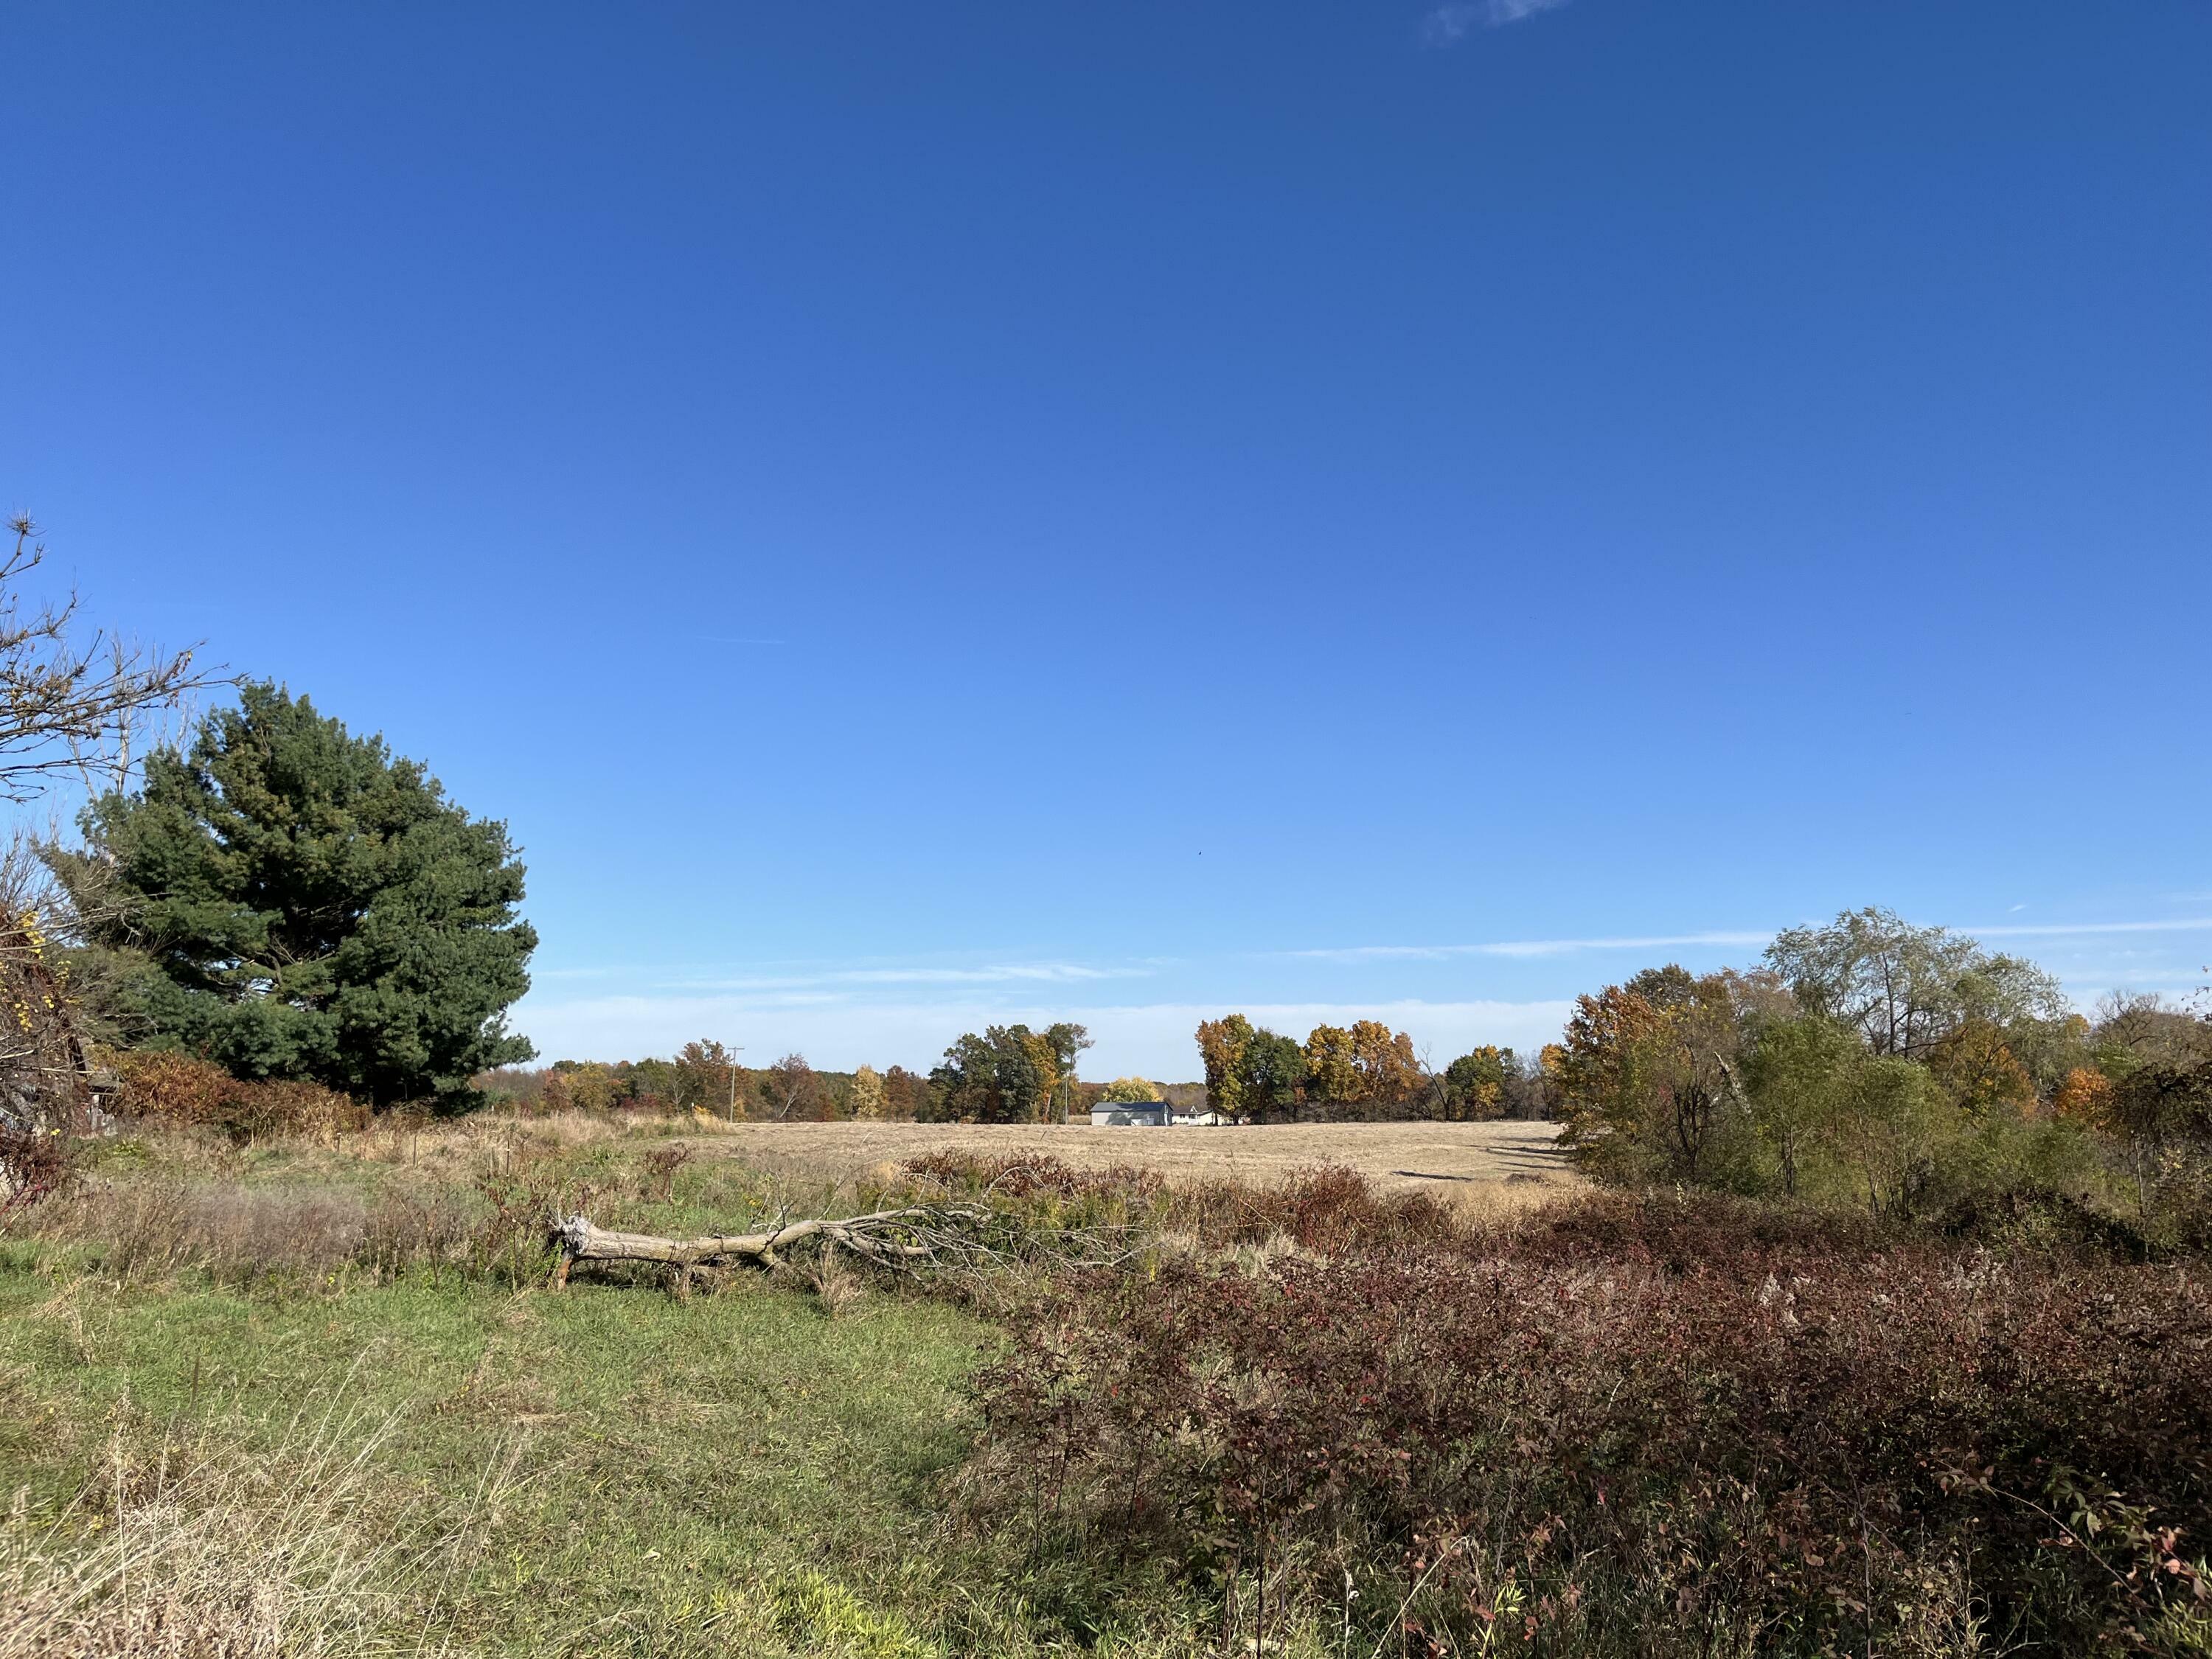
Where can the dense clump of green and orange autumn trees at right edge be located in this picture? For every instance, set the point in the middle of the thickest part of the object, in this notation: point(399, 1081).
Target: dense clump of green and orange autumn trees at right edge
point(1899, 1070)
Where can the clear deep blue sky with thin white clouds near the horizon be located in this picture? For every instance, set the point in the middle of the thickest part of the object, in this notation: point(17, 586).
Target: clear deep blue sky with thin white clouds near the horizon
point(941, 514)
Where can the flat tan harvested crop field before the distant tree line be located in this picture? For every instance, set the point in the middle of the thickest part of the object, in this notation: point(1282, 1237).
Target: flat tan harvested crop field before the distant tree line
point(1452, 1160)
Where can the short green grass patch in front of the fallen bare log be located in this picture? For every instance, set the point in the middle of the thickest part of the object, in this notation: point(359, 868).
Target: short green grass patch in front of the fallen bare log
point(729, 1474)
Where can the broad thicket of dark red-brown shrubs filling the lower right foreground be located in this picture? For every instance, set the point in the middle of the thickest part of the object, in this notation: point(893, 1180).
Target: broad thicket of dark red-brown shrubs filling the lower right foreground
point(1802, 1441)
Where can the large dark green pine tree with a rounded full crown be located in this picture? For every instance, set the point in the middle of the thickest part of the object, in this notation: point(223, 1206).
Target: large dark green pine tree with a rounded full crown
point(293, 901)
